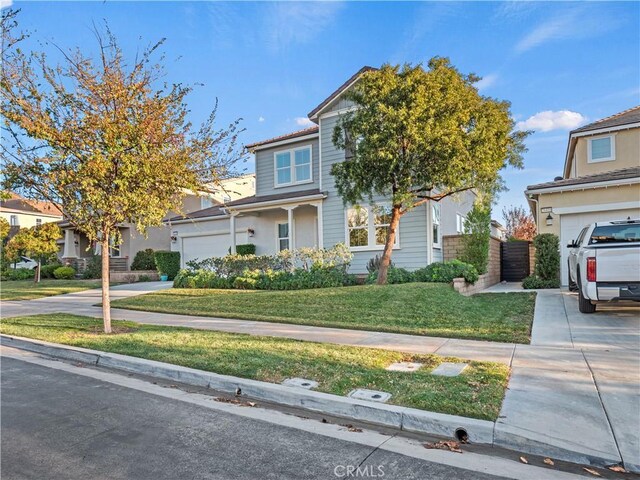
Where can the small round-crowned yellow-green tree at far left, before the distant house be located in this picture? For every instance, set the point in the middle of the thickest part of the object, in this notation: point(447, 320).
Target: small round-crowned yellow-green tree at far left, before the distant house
point(40, 243)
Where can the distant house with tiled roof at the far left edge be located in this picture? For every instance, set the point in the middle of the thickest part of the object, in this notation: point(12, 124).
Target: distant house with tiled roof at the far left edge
point(24, 213)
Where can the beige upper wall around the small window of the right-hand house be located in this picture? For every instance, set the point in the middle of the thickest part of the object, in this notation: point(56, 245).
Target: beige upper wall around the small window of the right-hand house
point(627, 153)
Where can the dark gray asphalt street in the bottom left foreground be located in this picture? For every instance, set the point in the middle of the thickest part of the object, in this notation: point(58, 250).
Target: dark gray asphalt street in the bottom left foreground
point(57, 425)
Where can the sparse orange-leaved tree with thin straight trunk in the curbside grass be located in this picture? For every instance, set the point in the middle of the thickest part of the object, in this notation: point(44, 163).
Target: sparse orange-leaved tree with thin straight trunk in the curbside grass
point(104, 139)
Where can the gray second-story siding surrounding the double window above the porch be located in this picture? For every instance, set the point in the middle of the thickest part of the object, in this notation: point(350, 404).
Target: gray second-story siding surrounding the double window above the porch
point(265, 169)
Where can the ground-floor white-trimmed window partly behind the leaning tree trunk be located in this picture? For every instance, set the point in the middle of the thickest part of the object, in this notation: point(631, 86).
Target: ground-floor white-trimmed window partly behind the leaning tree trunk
point(368, 226)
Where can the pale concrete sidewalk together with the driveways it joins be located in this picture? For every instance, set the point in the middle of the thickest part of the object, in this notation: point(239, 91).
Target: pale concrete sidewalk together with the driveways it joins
point(574, 393)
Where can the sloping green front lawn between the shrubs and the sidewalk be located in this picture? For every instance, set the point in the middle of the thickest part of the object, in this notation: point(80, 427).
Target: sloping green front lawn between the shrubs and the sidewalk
point(415, 308)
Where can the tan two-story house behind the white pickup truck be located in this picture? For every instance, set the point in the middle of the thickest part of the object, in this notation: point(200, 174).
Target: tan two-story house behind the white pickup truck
point(600, 181)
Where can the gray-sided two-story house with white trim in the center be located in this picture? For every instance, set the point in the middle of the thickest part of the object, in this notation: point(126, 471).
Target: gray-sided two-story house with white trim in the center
point(296, 205)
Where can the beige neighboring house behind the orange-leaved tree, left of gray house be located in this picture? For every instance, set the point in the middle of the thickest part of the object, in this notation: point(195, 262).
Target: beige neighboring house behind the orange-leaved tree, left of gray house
point(76, 249)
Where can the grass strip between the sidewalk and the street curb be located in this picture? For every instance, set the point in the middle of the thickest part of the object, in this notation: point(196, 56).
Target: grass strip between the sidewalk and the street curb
point(477, 392)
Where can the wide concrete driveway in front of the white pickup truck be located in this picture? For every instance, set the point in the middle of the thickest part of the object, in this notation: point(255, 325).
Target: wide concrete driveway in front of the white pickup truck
point(577, 386)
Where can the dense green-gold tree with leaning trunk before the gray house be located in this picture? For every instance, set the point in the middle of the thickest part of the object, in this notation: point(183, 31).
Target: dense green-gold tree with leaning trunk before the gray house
point(421, 135)
